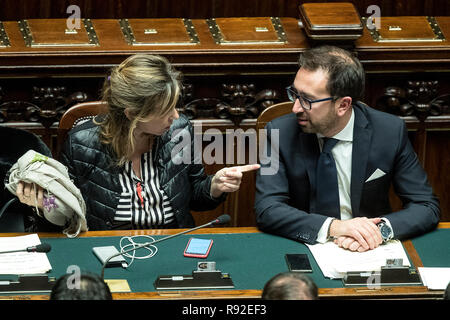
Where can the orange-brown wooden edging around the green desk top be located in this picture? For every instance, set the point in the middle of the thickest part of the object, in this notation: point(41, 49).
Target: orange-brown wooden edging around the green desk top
point(410, 292)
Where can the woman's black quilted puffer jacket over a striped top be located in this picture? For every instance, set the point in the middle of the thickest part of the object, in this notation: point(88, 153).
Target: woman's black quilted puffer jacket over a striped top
point(92, 167)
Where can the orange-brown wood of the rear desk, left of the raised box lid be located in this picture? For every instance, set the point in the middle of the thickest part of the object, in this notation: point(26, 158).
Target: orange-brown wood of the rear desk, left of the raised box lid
point(113, 47)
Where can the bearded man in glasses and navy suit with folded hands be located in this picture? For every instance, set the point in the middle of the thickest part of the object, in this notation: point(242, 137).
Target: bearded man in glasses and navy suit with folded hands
point(324, 190)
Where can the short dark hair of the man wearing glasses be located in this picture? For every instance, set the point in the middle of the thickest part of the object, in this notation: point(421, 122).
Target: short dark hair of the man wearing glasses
point(345, 71)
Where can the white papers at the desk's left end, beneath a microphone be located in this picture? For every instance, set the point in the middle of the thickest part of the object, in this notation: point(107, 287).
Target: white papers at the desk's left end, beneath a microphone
point(22, 262)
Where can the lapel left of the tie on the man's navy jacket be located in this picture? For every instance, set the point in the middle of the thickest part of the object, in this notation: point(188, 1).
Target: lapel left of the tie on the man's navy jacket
point(309, 151)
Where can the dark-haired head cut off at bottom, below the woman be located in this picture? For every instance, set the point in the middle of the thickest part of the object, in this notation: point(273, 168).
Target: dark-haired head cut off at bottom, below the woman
point(90, 287)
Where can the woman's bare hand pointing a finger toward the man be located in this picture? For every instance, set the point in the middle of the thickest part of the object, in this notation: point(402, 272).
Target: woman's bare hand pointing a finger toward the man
point(229, 179)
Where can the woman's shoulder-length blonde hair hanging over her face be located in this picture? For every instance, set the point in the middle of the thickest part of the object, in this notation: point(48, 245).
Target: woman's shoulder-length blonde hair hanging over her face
point(147, 86)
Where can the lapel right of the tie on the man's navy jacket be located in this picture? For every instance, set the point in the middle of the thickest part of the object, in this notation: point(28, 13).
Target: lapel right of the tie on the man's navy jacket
point(362, 134)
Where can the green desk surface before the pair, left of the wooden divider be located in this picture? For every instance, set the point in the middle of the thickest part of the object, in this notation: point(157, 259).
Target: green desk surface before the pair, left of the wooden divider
point(250, 259)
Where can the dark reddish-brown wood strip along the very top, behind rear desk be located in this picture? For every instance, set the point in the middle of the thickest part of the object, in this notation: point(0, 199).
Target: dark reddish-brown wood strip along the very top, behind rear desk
point(195, 9)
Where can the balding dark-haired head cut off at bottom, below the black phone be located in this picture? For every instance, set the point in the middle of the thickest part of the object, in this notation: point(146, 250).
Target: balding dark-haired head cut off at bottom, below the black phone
point(290, 286)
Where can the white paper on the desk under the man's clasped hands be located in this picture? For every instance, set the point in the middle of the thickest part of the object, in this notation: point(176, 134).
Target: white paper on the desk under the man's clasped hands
point(335, 261)
